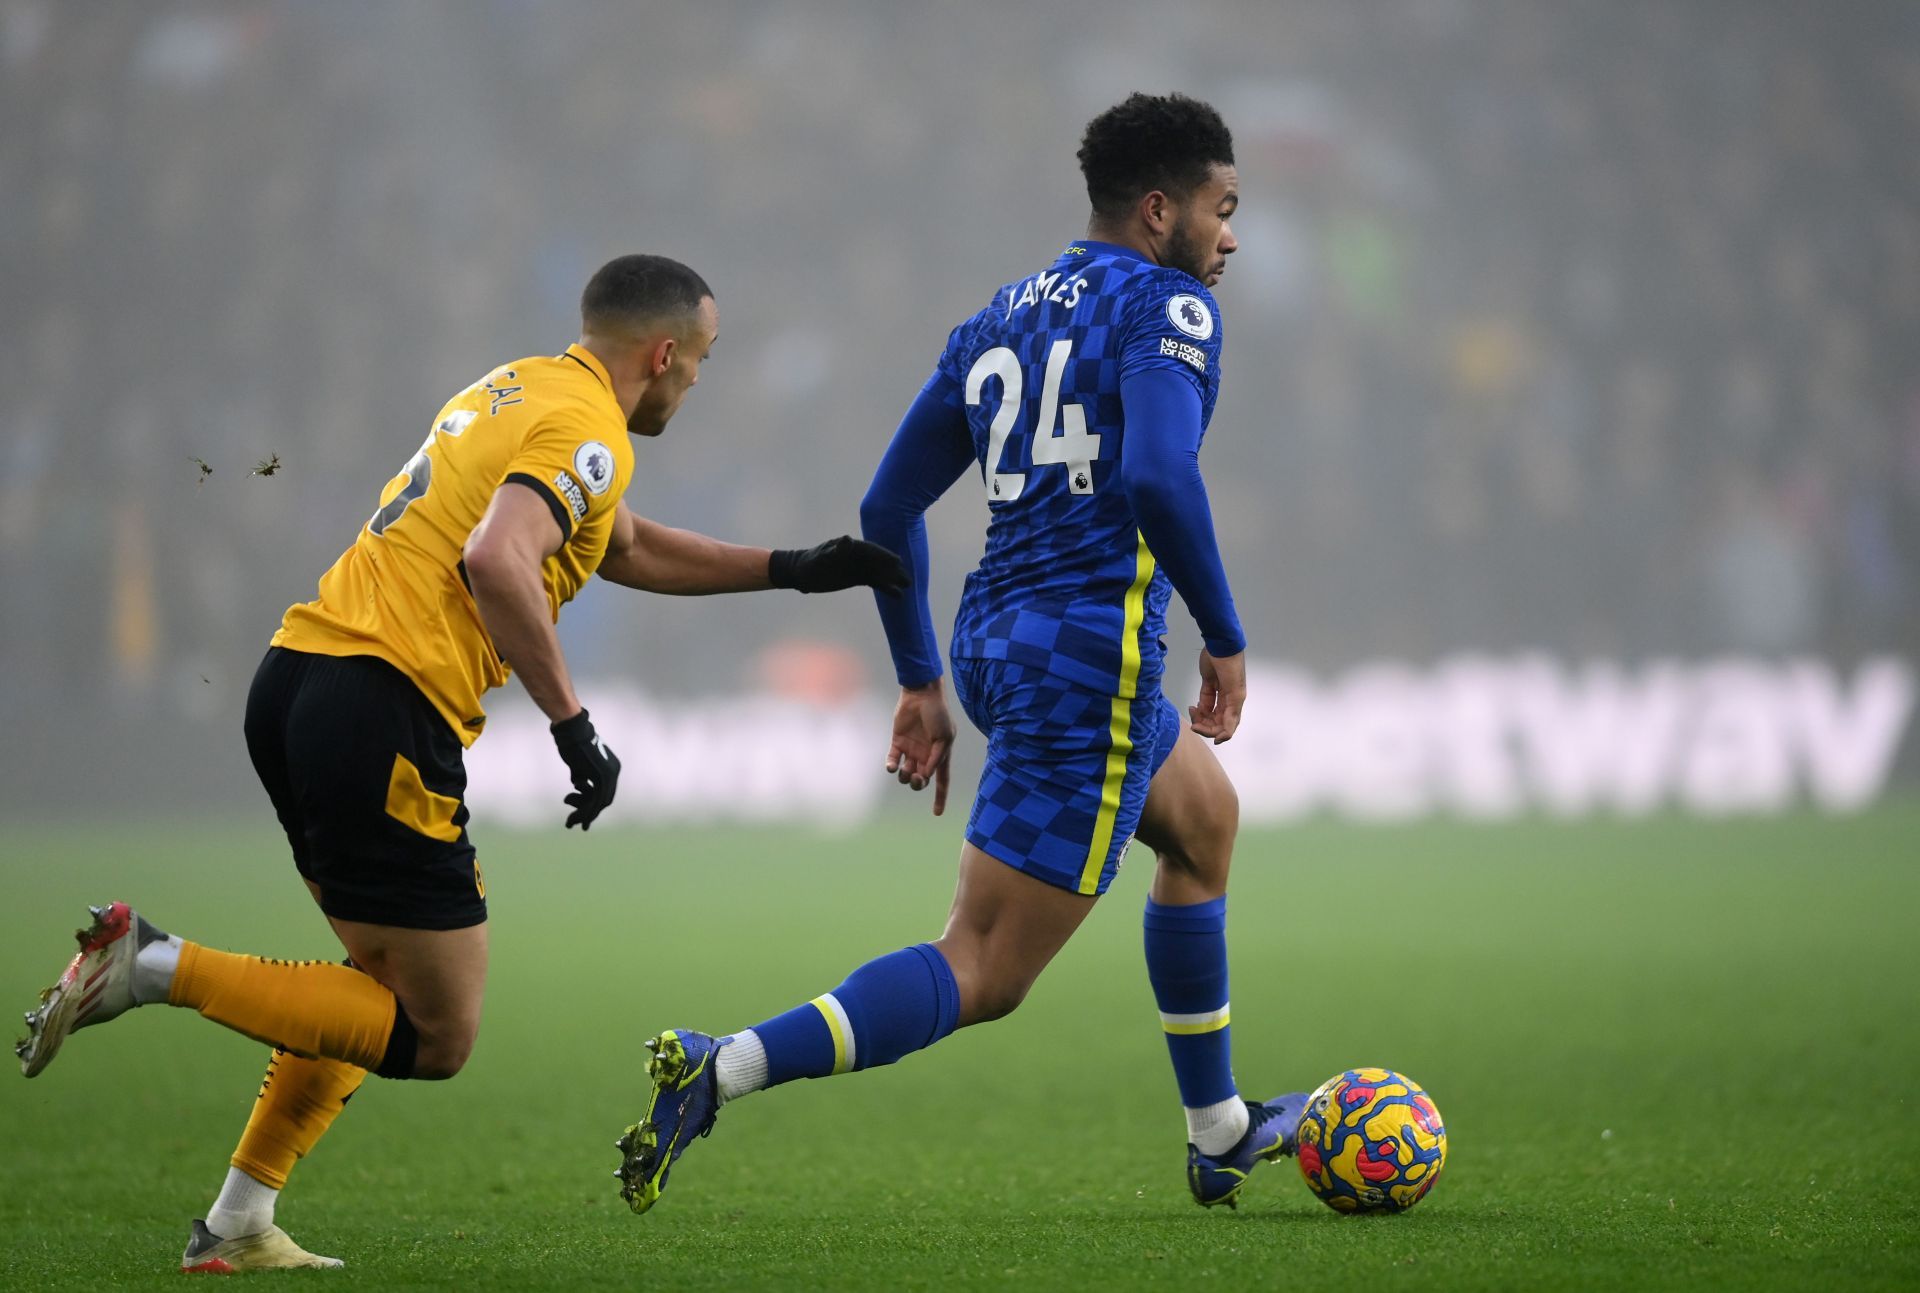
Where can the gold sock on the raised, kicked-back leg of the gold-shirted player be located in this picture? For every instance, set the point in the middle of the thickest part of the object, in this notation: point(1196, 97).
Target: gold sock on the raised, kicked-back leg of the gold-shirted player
point(308, 1008)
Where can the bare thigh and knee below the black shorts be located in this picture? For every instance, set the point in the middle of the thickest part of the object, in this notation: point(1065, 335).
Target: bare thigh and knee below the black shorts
point(439, 977)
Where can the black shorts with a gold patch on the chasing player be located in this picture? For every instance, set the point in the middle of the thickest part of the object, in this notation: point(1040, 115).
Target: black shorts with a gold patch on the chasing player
point(370, 785)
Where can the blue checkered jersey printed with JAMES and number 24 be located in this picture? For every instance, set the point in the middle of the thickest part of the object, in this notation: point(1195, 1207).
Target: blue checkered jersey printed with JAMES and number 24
point(1067, 577)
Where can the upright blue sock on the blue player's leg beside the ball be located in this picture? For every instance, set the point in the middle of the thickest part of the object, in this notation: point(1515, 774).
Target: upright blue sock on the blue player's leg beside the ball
point(1188, 967)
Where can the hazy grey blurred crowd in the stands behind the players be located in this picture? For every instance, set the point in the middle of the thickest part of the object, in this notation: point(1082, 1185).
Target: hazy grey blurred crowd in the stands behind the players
point(1587, 328)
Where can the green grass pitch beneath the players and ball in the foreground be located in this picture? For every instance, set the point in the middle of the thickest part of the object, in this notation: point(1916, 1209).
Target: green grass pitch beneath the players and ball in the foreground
point(1669, 1056)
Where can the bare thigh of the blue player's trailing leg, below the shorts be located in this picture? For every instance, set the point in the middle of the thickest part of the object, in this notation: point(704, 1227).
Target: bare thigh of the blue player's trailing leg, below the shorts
point(1003, 931)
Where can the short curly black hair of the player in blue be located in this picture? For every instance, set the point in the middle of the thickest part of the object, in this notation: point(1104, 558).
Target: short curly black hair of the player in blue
point(1147, 143)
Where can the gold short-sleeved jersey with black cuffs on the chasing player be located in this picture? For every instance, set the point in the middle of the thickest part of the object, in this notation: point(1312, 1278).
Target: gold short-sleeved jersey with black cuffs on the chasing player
point(400, 593)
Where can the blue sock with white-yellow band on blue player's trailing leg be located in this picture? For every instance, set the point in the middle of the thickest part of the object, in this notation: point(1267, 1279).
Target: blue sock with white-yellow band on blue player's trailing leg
point(890, 1008)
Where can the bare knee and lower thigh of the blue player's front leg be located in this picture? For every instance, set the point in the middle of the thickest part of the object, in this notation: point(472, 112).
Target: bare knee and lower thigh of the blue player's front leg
point(1189, 821)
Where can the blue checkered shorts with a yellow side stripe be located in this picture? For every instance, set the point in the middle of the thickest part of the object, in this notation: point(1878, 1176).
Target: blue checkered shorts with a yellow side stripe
point(1067, 769)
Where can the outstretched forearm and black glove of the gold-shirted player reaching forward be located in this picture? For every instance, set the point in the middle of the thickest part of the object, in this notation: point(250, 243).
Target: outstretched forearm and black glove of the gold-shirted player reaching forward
point(656, 558)
